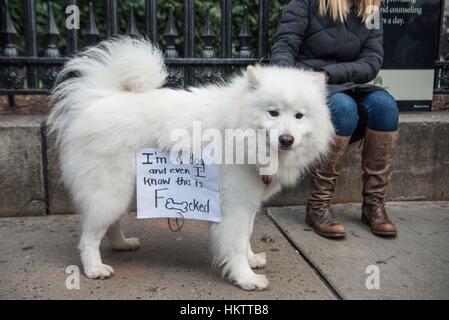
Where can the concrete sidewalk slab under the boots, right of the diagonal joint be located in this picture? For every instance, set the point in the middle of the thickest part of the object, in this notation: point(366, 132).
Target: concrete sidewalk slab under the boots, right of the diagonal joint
point(414, 265)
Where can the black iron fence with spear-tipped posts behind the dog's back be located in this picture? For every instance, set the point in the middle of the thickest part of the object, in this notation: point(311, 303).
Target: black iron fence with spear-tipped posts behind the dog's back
point(33, 74)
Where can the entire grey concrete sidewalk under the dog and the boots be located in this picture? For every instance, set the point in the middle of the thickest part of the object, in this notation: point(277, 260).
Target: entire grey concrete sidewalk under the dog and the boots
point(35, 252)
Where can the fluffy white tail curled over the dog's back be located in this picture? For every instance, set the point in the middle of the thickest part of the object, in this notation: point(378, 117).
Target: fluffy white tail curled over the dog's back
point(114, 66)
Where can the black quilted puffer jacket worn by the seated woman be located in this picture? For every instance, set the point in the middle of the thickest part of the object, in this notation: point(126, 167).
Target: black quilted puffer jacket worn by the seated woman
point(349, 52)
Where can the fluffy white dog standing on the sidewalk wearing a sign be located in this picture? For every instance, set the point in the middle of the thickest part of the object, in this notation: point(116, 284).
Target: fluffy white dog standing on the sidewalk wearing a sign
point(112, 104)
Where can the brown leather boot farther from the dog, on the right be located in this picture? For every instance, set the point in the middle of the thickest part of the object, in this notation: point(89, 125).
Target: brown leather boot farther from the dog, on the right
point(378, 150)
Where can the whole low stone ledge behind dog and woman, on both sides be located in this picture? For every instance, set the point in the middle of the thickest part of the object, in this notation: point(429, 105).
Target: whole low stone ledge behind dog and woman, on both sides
point(30, 178)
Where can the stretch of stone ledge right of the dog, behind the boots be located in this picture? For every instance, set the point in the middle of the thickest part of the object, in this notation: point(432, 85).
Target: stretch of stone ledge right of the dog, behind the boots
point(420, 169)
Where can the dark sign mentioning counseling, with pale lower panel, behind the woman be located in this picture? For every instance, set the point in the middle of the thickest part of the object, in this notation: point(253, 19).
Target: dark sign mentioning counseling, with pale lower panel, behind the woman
point(411, 36)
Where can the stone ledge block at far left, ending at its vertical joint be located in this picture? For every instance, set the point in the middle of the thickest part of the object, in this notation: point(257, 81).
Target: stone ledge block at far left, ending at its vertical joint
point(22, 190)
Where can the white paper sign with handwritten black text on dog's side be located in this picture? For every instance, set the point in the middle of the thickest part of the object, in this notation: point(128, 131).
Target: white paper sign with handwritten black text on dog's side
point(183, 188)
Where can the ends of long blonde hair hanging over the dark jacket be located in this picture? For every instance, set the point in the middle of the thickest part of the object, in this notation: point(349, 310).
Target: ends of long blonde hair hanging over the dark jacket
point(338, 10)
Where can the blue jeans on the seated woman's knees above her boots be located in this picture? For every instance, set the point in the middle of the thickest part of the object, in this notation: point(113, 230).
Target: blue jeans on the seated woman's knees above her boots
point(377, 110)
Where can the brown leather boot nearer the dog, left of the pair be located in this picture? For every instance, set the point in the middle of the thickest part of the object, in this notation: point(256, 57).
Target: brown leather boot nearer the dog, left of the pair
point(324, 175)
